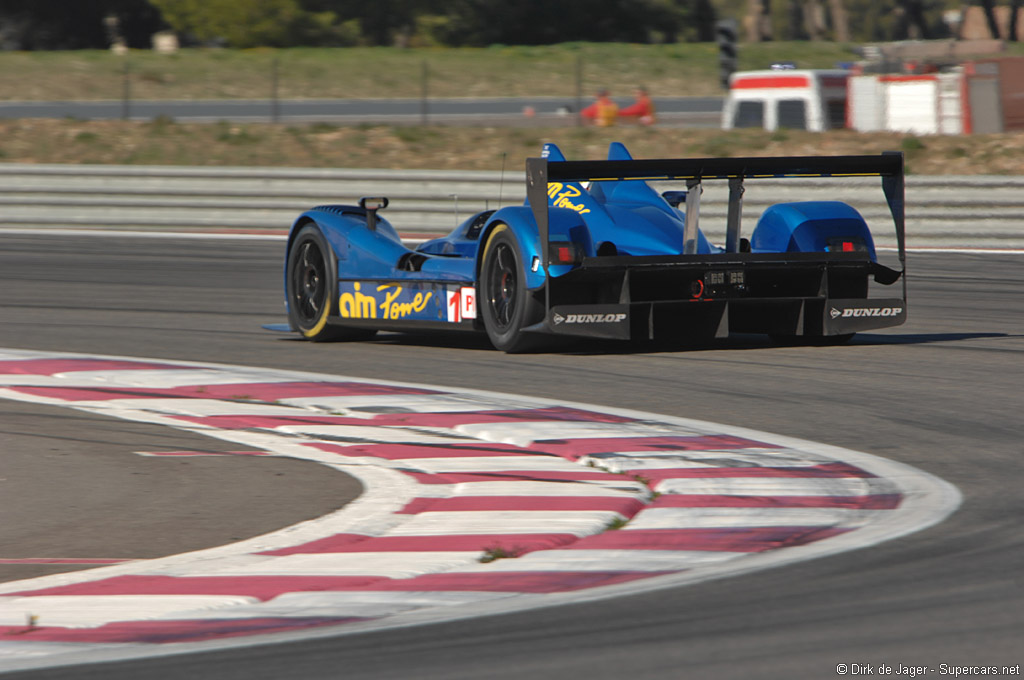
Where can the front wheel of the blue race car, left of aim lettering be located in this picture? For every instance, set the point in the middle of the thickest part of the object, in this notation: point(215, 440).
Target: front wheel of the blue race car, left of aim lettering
point(312, 287)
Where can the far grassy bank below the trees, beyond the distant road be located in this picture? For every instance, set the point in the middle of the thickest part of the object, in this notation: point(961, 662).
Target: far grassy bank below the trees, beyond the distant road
point(684, 69)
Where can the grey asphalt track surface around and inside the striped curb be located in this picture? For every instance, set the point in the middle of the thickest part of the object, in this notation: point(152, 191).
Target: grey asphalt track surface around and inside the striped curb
point(943, 394)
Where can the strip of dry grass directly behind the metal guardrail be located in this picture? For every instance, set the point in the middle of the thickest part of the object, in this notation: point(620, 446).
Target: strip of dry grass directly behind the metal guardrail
point(167, 143)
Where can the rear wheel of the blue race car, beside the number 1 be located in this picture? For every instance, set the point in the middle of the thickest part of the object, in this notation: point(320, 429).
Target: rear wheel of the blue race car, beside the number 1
point(507, 307)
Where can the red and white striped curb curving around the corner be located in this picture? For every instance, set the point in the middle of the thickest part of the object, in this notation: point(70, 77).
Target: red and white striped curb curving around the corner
point(475, 503)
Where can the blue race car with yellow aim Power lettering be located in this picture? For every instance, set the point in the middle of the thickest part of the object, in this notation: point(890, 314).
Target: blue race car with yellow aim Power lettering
point(596, 252)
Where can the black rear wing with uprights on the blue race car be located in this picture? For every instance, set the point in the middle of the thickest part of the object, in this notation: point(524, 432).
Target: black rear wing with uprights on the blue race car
point(888, 166)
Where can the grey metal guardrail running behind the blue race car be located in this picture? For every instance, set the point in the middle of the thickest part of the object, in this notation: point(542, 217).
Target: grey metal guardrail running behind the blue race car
point(976, 211)
